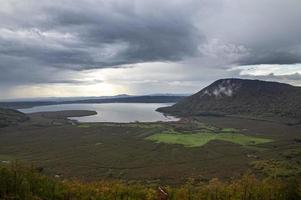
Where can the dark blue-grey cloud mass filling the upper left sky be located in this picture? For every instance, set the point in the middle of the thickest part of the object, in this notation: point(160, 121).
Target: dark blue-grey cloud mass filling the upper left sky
point(33, 36)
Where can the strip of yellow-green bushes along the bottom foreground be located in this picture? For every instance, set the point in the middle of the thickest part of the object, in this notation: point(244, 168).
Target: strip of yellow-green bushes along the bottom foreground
point(17, 182)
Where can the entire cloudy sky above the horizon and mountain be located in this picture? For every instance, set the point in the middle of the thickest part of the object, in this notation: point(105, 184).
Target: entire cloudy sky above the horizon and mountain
point(61, 48)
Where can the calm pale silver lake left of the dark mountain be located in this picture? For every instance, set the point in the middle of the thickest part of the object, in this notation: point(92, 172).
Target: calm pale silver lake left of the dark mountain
point(111, 112)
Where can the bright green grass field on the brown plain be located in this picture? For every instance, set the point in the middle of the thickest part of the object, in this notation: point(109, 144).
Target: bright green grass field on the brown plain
point(200, 139)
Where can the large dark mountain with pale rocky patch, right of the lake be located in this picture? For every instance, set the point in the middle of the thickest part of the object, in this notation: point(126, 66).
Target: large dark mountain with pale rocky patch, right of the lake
point(242, 97)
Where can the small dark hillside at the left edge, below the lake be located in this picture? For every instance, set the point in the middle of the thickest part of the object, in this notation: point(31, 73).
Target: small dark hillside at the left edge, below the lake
point(11, 117)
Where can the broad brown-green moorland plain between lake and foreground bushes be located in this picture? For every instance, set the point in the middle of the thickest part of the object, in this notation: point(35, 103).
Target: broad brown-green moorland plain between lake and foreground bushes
point(94, 151)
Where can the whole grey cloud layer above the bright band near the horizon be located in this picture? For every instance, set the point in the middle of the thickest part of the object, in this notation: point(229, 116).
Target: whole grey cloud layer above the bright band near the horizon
point(41, 41)
